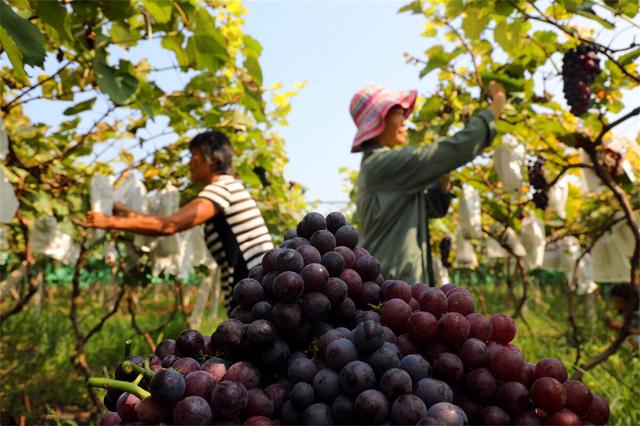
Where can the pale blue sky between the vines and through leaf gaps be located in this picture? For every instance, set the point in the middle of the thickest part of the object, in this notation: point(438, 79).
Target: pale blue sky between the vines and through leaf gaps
point(336, 47)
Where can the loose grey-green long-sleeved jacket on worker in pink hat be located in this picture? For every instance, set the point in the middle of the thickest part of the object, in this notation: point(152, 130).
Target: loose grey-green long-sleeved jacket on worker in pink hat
point(393, 201)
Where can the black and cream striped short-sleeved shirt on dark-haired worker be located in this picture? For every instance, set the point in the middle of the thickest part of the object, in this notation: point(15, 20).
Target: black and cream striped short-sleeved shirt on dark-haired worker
point(237, 236)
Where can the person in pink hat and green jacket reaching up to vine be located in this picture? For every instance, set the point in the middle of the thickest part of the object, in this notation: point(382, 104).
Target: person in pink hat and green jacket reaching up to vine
point(399, 188)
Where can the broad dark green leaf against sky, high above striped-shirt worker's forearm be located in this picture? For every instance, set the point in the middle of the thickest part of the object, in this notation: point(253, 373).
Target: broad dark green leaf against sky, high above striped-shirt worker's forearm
point(117, 83)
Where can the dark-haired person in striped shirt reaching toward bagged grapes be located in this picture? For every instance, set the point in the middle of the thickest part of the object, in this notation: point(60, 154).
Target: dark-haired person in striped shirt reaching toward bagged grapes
point(235, 230)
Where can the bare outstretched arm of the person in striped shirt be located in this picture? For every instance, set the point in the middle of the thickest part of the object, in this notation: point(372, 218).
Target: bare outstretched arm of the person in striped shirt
point(194, 213)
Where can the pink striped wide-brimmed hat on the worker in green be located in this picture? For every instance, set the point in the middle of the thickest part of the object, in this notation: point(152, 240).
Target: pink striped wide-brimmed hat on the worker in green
point(370, 105)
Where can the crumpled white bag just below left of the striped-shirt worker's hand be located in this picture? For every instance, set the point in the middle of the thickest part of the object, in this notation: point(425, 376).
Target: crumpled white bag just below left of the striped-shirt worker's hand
point(47, 238)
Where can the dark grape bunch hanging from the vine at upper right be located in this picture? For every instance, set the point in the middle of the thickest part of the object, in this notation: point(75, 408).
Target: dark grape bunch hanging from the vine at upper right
point(580, 67)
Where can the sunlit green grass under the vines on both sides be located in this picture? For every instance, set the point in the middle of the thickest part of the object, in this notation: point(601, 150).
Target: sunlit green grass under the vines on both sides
point(39, 382)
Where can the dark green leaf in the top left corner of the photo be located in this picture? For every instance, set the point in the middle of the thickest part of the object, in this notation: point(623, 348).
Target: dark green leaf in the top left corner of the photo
point(25, 35)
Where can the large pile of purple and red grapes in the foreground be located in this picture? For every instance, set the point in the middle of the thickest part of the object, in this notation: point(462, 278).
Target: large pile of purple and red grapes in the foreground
point(320, 337)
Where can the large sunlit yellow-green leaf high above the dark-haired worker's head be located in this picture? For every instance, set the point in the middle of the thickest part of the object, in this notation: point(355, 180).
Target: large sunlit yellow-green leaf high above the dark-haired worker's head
point(210, 47)
